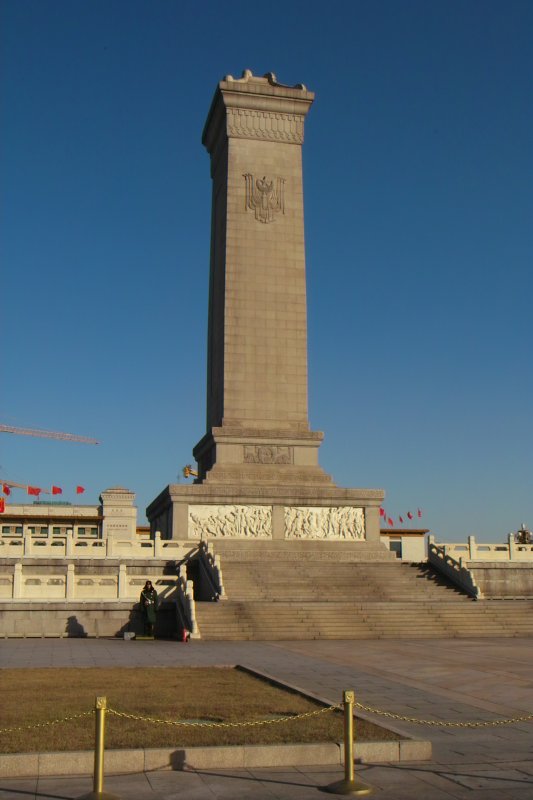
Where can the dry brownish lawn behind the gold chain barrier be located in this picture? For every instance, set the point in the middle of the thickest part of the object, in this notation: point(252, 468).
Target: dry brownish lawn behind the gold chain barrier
point(31, 696)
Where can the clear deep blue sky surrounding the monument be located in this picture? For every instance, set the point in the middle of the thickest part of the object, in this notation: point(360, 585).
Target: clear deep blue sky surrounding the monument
point(418, 183)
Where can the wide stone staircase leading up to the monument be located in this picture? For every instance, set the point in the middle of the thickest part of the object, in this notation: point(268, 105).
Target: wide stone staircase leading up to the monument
point(336, 590)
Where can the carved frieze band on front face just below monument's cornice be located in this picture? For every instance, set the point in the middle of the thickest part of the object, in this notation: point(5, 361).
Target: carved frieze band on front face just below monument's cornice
point(245, 123)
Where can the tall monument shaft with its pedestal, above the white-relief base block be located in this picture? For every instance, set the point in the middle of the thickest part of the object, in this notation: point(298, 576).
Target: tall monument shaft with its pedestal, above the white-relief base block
point(257, 337)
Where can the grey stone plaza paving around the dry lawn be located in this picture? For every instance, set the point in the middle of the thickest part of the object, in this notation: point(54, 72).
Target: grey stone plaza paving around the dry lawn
point(454, 679)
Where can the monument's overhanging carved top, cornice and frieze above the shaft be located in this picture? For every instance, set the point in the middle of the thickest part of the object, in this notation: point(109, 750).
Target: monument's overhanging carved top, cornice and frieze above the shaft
point(256, 96)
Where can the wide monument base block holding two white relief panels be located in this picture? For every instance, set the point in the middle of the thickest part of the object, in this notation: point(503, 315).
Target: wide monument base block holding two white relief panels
point(220, 511)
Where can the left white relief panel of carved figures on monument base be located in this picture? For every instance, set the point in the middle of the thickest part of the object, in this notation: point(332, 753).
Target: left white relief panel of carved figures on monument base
point(245, 522)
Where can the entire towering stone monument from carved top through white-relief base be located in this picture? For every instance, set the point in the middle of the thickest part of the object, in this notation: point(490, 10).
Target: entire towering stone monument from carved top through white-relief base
point(258, 470)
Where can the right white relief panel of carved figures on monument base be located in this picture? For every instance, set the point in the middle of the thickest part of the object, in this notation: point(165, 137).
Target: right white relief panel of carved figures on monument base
point(337, 522)
